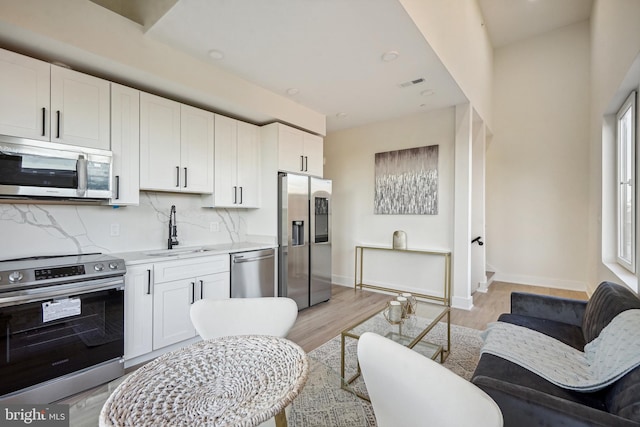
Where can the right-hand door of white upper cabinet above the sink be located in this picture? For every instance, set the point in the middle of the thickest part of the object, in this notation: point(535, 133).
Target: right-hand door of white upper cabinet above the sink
point(196, 149)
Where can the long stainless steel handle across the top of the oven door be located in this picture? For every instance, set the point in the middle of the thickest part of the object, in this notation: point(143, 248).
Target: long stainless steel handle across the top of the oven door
point(40, 294)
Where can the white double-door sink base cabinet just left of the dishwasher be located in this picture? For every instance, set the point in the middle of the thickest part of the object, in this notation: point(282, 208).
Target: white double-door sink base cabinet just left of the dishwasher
point(177, 285)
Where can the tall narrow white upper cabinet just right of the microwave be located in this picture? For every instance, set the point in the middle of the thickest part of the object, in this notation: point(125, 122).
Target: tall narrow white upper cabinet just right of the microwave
point(125, 144)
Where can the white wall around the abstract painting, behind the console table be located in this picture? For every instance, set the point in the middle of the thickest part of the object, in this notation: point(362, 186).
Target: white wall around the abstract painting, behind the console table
point(350, 164)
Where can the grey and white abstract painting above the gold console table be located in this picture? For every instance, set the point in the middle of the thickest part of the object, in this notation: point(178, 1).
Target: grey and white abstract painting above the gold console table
point(406, 181)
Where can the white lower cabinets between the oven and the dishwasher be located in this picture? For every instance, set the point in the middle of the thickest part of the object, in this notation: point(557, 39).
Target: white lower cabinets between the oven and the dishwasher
point(158, 300)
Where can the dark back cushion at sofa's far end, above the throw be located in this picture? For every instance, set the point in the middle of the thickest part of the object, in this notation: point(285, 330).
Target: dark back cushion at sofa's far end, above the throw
point(608, 300)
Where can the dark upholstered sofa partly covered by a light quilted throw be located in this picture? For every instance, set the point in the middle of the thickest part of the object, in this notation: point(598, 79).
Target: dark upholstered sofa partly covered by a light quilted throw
point(527, 399)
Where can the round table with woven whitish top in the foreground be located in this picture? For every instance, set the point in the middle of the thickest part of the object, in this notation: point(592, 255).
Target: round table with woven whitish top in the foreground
point(227, 381)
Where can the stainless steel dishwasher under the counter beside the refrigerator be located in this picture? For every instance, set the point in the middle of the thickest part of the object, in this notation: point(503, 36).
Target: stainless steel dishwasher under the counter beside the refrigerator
point(252, 274)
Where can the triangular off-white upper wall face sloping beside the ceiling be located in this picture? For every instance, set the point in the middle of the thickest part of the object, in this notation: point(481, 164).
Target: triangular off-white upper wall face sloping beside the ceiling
point(455, 31)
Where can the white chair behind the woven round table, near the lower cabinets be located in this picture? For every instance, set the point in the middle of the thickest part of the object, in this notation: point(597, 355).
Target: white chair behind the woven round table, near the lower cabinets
point(243, 316)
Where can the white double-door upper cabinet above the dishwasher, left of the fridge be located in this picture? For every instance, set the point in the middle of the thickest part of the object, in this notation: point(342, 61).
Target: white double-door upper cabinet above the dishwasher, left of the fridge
point(237, 165)
